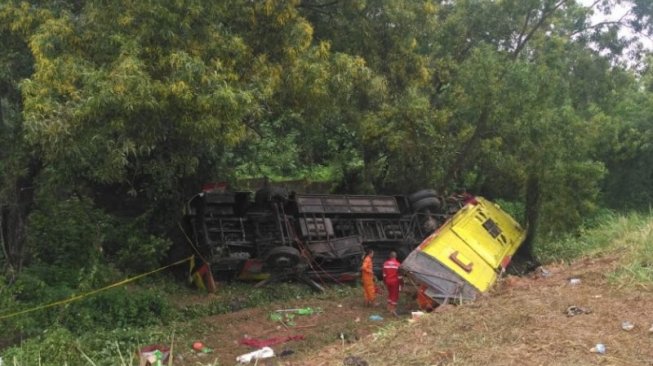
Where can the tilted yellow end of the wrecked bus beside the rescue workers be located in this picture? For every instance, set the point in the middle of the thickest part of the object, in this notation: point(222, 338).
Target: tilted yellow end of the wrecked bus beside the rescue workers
point(465, 255)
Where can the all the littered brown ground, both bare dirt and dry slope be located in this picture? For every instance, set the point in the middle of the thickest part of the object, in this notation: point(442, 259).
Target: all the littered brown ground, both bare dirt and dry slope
point(541, 319)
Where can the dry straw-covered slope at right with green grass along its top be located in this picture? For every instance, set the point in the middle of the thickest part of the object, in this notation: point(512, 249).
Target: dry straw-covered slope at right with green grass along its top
point(523, 321)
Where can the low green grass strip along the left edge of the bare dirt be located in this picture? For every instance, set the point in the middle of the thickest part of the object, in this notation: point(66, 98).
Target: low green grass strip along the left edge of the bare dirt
point(58, 345)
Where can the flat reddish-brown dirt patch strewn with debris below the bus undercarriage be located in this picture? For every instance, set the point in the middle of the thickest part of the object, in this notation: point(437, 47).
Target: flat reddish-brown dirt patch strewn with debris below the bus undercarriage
point(341, 322)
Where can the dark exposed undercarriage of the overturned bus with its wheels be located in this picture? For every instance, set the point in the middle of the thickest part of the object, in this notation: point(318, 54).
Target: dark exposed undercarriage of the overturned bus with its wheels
point(310, 237)
